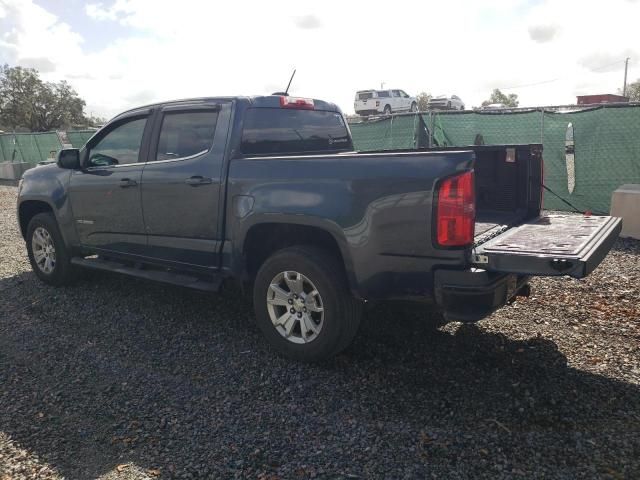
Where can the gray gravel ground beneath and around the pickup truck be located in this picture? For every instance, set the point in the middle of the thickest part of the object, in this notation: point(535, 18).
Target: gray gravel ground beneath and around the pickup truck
point(116, 378)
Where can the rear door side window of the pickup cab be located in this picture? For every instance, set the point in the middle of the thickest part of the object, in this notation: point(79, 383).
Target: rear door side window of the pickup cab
point(186, 134)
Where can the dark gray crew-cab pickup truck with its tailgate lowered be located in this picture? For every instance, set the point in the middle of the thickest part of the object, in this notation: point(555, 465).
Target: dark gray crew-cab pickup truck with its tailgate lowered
point(268, 191)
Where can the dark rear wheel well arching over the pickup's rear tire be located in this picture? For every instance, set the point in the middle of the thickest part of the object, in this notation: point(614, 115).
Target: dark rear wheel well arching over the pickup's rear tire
point(264, 239)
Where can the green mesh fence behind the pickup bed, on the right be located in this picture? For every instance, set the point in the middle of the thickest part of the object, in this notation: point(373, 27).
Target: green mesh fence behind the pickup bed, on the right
point(607, 144)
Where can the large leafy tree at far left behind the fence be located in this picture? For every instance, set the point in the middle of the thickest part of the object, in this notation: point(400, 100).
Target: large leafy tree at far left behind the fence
point(28, 102)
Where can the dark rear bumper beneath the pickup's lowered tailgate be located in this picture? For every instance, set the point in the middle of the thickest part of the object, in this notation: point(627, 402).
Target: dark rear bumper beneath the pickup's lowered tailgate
point(471, 295)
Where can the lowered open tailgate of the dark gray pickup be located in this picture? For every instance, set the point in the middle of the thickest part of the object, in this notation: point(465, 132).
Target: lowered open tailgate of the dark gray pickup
point(550, 245)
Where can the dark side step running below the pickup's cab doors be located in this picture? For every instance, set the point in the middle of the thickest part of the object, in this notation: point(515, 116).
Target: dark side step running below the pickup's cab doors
point(181, 279)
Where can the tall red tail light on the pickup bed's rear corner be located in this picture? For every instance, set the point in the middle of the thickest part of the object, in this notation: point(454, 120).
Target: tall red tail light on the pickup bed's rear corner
point(456, 211)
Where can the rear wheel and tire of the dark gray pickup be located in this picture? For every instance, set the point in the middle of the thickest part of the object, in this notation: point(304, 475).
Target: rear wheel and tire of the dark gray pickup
point(317, 271)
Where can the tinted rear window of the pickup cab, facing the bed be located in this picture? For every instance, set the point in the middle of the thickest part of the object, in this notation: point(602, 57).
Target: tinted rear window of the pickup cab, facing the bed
point(280, 131)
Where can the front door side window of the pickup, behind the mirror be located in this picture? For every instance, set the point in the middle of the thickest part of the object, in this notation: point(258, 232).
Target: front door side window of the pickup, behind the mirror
point(120, 146)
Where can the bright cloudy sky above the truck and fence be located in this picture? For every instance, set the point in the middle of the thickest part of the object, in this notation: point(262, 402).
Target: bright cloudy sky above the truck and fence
point(119, 54)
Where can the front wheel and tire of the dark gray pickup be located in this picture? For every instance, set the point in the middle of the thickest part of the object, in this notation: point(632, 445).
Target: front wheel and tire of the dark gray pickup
point(51, 261)
